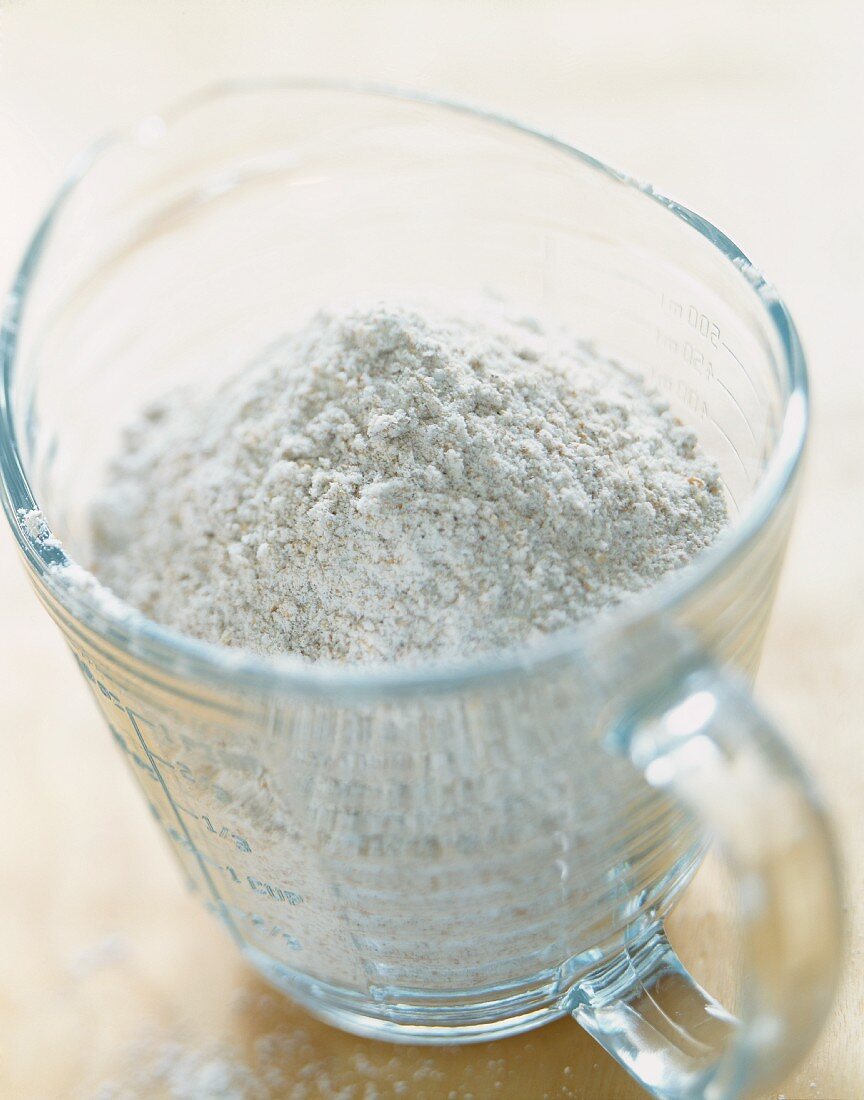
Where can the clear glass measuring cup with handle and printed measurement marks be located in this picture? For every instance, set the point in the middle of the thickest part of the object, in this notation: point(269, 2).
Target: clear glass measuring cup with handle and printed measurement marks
point(441, 854)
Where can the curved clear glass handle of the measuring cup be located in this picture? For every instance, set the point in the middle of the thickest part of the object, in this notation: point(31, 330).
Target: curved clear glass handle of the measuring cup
point(708, 746)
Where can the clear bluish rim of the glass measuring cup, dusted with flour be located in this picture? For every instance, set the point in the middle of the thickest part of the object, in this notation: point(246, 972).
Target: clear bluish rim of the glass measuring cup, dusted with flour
point(177, 654)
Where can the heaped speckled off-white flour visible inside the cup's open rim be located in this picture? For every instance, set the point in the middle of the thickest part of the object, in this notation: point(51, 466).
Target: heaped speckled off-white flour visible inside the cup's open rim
point(393, 485)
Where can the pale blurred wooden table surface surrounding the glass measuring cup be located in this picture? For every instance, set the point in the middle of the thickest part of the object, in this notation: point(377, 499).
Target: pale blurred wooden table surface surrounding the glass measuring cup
point(750, 114)
